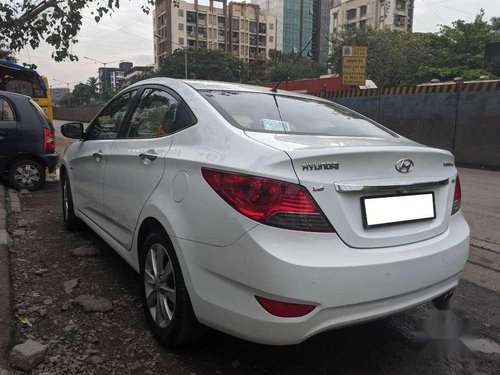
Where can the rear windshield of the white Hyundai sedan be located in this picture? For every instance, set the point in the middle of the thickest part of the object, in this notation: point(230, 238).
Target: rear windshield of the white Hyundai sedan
point(266, 112)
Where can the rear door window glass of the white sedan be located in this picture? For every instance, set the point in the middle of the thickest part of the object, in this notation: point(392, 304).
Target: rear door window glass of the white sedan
point(154, 116)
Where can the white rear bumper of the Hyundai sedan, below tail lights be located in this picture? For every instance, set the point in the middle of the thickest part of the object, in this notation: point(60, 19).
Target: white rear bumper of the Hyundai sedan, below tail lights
point(347, 285)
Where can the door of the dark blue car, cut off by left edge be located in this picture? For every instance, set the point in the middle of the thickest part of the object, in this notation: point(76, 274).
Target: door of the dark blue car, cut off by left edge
point(8, 132)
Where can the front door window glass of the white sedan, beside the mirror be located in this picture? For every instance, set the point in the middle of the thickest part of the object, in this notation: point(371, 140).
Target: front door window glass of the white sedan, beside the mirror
point(108, 122)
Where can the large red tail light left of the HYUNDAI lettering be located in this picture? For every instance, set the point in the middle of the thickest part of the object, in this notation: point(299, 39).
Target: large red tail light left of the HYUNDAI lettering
point(276, 203)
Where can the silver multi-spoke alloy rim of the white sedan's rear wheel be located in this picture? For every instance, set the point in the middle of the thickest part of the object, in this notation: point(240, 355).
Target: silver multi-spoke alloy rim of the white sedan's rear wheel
point(159, 285)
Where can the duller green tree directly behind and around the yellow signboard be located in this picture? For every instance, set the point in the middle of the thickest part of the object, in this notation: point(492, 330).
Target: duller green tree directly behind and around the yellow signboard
point(393, 57)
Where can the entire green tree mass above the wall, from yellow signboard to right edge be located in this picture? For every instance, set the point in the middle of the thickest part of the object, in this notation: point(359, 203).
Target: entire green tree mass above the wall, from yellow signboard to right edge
point(396, 58)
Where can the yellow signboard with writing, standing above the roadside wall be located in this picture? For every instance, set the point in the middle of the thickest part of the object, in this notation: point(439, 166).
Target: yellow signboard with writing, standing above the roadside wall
point(354, 65)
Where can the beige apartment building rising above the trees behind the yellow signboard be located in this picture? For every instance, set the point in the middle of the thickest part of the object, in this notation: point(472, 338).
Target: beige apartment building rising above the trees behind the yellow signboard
point(377, 14)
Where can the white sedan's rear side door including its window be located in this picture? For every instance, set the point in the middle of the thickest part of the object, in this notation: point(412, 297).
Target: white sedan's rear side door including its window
point(136, 162)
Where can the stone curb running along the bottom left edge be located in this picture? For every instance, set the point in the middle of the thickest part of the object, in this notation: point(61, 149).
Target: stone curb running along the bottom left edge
point(5, 283)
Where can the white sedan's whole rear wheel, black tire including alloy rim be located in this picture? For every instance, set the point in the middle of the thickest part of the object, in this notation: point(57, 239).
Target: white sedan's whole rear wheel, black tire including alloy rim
point(172, 321)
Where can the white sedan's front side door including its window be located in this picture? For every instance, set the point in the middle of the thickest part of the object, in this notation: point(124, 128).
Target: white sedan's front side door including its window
point(91, 157)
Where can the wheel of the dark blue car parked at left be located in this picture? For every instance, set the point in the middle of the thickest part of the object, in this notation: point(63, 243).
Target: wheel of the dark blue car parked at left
point(27, 174)
